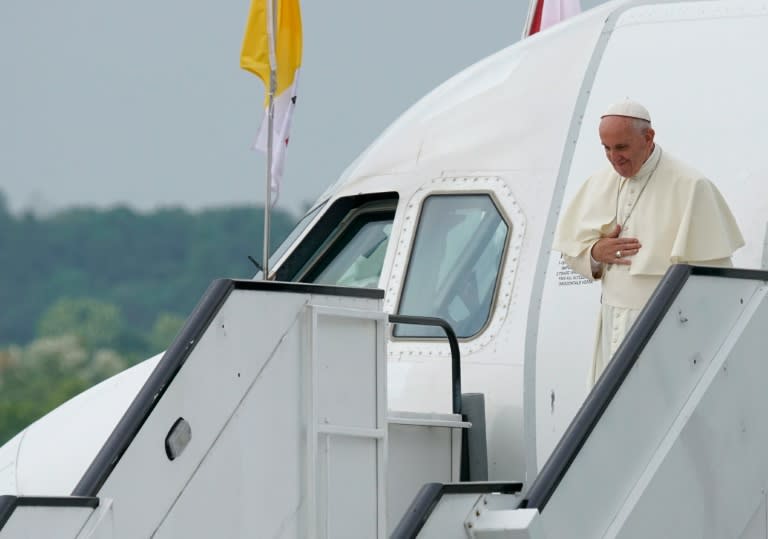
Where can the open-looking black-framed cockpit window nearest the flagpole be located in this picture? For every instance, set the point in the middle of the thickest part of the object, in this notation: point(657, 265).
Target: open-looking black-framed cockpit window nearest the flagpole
point(347, 245)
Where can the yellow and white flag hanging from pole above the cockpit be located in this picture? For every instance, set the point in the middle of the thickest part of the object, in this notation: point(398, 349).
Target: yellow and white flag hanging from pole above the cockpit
point(266, 47)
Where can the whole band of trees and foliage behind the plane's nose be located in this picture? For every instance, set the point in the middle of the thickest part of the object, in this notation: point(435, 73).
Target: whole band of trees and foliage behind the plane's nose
point(88, 292)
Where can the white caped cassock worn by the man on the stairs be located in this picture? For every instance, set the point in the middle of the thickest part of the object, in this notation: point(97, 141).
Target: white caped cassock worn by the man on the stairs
point(677, 214)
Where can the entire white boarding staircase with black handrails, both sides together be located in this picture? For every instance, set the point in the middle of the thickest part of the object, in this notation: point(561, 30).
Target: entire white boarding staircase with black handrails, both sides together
point(268, 418)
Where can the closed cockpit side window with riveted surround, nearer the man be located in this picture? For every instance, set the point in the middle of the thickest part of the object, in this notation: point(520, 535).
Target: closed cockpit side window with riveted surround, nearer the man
point(455, 264)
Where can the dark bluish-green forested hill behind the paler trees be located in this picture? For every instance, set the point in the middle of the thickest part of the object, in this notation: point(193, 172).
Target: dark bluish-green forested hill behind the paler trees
point(144, 264)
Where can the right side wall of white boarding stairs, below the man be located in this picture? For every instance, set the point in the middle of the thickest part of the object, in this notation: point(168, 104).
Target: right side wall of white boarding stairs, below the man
point(671, 442)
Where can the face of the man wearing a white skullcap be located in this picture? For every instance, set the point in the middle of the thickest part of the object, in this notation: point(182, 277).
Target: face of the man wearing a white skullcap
point(626, 146)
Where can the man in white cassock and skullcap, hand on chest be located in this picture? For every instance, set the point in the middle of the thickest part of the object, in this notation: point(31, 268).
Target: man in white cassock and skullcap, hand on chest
point(629, 222)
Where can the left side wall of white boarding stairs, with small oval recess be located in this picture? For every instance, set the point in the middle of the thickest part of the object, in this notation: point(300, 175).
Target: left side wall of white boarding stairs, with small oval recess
point(267, 417)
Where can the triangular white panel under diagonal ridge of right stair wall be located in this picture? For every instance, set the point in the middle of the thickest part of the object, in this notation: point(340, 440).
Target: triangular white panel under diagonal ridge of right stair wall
point(708, 476)
